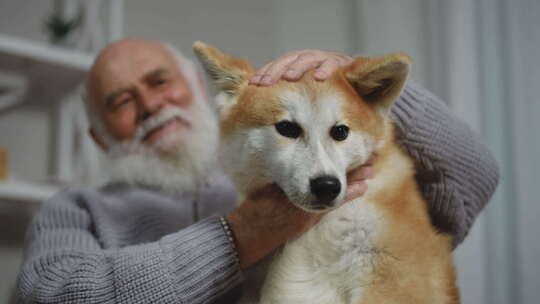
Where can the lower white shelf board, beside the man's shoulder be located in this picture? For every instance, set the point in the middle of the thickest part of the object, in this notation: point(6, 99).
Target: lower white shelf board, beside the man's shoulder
point(26, 191)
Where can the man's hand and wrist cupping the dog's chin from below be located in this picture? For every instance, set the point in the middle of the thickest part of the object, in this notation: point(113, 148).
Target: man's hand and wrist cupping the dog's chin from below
point(267, 219)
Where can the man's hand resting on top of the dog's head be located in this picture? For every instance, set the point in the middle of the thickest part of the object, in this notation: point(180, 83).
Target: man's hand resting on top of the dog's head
point(293, 65)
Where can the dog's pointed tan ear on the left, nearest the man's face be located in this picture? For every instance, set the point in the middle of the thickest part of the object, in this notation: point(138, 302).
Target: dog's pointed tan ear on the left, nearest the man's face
point(229, 74)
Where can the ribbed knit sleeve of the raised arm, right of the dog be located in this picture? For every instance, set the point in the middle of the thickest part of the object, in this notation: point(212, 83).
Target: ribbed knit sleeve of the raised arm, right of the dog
point(456, 172)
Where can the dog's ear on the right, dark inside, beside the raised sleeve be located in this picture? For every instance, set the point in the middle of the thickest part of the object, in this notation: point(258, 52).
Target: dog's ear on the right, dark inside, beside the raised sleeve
point(379, 81)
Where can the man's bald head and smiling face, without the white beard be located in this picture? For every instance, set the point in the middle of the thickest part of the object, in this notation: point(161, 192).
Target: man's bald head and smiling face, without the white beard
point(132, 83)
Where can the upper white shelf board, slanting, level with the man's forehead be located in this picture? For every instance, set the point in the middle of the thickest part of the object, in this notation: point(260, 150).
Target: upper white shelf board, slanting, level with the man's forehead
point(44, 53)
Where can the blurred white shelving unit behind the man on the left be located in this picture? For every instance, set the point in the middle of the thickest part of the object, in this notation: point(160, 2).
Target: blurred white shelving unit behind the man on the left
point(52, 75)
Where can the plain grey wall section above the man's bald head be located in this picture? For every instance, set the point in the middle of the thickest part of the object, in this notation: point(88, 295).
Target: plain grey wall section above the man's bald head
point(241, 27)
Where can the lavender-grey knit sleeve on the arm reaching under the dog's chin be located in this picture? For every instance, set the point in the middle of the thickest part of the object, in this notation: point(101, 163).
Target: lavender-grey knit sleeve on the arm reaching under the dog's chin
point(65, 262)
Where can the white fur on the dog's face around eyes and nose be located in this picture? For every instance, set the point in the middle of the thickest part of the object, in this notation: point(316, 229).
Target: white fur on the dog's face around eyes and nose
point(260, 155)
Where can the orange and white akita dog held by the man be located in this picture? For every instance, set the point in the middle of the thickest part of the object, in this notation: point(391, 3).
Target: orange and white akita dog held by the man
point(305, 136)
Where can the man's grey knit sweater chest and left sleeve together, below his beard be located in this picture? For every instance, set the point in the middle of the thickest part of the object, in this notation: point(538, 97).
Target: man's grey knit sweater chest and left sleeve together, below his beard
point(127, 245)
